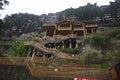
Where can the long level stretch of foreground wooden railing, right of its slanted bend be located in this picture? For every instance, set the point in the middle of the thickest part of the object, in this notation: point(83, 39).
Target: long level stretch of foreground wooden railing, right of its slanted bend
point(72, 72)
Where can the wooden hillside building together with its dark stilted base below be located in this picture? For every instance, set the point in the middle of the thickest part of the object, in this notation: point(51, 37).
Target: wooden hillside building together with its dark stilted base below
point(66, 32)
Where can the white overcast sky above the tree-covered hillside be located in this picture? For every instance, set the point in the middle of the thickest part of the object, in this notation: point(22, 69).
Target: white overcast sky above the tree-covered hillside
point(39, 7)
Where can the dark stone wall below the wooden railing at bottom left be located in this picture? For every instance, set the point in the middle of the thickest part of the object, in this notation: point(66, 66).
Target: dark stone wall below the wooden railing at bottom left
point(8, 72)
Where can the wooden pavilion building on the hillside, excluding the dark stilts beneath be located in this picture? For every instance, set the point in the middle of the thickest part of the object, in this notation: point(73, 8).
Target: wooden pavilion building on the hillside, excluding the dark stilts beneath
point(69, 27)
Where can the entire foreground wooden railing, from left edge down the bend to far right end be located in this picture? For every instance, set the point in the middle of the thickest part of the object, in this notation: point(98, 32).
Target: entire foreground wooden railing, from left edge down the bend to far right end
point(65, 72)
